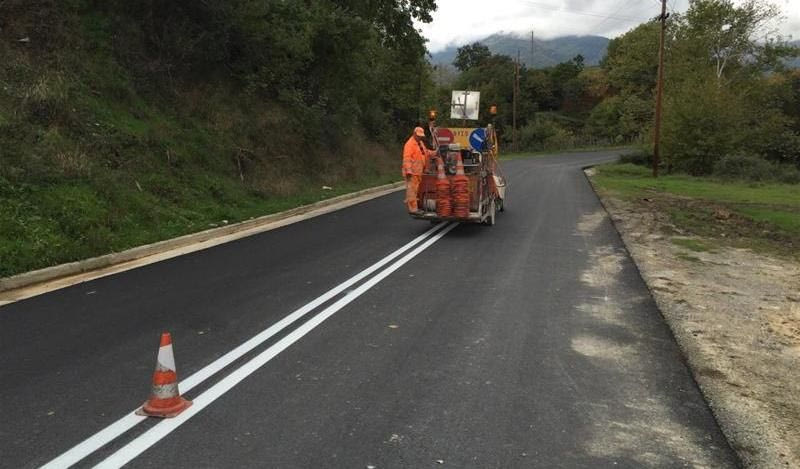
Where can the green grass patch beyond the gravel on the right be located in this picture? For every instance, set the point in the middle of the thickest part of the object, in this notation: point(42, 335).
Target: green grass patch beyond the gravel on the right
point(763, 217)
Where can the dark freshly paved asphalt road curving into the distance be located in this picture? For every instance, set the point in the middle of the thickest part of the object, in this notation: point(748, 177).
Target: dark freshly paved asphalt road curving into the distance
point(533, 343)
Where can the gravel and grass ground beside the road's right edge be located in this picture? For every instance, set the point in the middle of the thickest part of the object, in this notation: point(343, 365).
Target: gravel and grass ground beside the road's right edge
point(721, 262)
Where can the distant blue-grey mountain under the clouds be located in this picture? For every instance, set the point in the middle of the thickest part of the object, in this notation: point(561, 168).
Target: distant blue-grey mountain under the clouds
point(545, 52)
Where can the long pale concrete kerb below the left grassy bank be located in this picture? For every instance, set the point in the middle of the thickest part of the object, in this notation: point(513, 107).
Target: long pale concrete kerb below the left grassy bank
point(78, 267)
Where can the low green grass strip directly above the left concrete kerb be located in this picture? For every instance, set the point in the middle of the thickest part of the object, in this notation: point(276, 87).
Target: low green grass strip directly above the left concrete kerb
point(65, 222)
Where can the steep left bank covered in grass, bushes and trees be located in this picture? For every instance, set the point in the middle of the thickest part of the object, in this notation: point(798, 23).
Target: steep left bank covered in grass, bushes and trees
point(123, 126)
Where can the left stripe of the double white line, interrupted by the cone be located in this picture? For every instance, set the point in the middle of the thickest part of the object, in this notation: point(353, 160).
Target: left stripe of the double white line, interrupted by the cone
point(111, 432)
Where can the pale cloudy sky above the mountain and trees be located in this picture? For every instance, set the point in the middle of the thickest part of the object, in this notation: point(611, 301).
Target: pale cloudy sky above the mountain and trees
point(462, 21)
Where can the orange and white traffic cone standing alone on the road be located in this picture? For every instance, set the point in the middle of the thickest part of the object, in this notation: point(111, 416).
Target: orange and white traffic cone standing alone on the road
point(165, 400)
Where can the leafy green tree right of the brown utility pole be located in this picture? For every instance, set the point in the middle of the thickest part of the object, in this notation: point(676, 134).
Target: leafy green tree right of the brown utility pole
point(720, 102)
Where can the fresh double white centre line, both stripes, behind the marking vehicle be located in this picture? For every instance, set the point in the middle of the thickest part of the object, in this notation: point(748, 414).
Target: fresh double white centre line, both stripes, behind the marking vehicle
point(163, 428)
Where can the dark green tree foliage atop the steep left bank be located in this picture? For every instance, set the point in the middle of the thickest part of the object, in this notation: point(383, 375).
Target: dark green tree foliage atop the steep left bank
point(332, 61)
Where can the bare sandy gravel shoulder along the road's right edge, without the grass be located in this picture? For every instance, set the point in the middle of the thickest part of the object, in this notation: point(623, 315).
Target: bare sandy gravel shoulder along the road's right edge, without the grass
point(736, 315)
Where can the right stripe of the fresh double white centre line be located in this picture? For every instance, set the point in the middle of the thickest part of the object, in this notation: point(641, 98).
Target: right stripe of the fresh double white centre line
point(165, 427)
